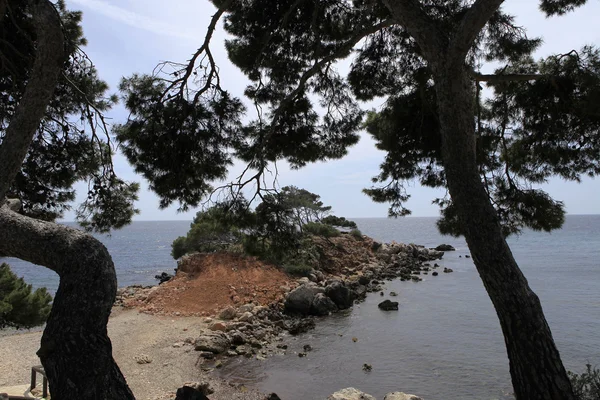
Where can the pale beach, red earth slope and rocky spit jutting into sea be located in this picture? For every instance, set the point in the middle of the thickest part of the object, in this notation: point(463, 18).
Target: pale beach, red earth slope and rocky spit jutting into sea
point(222, 305)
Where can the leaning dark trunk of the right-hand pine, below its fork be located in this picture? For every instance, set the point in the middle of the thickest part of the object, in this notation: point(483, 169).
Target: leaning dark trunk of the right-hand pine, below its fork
point(536, 369)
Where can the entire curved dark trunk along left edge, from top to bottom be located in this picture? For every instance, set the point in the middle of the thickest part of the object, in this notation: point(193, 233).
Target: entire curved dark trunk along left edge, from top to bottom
point(75, 349)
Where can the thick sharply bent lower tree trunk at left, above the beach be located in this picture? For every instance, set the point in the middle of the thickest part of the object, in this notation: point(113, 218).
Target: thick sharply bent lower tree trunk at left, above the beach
point(75, 349)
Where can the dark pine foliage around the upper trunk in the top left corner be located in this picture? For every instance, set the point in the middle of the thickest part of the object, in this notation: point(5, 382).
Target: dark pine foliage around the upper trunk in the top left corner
point(72, 142)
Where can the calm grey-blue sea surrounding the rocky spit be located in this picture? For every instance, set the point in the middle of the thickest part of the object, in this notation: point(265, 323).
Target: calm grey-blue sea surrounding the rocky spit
point(445, 341)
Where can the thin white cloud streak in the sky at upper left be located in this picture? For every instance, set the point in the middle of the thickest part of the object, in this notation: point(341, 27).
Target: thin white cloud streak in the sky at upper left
point(136, 20)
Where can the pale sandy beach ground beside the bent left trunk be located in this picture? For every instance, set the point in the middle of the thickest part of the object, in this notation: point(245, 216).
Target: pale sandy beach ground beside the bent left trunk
point(134, 335)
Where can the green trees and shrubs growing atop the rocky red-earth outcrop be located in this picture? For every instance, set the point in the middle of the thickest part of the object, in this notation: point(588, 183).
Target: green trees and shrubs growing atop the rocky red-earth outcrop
point(279, 230)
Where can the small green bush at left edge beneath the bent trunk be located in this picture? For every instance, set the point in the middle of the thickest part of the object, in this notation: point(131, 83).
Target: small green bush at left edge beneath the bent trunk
point(19, 307)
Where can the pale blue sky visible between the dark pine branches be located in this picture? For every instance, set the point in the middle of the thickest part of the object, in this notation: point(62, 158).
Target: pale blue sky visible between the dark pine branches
point(133, 36)
